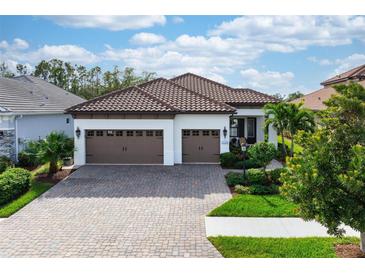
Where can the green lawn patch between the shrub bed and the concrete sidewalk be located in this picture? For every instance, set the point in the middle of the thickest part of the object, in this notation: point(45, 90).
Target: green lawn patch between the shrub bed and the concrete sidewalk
point(246, 205)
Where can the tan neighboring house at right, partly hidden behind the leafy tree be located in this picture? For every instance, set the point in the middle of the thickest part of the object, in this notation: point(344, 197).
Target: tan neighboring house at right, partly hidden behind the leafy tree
point(314, 100)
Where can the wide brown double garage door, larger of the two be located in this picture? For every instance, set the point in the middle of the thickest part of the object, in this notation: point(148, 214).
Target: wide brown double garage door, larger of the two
point(124, 146)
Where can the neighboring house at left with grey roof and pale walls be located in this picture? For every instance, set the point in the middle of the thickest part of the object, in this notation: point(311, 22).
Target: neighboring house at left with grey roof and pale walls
point(30, 108)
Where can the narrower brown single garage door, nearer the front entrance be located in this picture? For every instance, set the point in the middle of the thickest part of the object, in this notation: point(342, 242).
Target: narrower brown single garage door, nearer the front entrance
point(200, 146)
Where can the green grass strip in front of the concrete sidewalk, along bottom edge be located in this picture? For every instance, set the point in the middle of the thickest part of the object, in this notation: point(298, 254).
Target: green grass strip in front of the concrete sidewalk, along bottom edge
point(250, 247)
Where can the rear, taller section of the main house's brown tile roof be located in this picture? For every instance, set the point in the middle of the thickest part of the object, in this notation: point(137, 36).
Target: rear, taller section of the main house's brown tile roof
point(222, 93)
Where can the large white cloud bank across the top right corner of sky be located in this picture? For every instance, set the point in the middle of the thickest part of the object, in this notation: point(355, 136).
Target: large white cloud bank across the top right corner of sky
point(292, 33)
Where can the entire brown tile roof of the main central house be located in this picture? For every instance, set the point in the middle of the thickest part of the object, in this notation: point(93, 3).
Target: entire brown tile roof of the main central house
point(187, 93)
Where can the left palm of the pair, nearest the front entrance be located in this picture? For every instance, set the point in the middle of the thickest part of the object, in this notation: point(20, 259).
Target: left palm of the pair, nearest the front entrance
point(277, 117)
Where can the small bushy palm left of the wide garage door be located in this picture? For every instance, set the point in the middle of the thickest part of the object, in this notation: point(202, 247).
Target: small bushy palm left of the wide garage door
point(56, 146)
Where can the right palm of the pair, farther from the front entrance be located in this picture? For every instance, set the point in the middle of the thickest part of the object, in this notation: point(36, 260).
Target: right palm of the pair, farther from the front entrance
point(298, 118)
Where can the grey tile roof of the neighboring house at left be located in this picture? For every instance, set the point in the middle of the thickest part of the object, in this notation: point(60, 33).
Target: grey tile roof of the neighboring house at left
point(27, 94)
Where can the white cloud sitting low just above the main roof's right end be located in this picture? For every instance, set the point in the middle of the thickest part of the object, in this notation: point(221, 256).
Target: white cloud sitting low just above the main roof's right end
point(269, 81)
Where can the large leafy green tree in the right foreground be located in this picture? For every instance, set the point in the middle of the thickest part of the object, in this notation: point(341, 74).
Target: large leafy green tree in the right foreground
point(327, 179)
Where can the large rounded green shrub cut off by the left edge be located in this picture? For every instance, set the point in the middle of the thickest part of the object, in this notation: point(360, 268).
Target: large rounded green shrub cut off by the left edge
point(13, 183)
